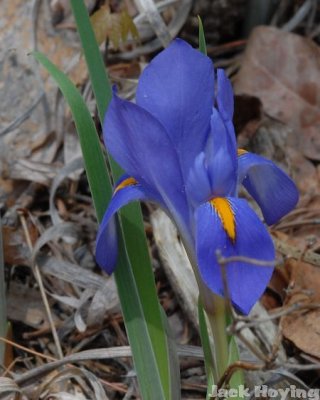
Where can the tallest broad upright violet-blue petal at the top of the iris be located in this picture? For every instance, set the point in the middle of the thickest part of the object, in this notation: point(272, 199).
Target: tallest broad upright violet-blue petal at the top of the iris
point(177, 87)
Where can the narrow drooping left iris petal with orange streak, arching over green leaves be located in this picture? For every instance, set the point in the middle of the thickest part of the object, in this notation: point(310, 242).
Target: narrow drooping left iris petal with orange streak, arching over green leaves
point(126, 191)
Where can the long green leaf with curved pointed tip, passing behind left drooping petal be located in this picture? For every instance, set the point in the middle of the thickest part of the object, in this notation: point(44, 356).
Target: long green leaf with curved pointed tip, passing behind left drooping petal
point(138, 330)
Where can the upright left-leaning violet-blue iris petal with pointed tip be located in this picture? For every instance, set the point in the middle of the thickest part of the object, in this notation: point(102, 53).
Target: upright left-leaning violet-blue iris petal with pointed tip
point(141, 145)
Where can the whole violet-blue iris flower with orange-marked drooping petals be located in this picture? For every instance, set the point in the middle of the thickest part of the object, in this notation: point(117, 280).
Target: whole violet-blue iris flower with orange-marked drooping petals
point(178, 147)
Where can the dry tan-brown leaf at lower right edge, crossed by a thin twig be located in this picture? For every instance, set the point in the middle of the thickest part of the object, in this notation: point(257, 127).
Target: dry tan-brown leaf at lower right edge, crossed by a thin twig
point(303, 328)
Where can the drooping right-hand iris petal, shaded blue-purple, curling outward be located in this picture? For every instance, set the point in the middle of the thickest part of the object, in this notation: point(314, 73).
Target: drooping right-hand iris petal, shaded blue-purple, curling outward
point(275, 193)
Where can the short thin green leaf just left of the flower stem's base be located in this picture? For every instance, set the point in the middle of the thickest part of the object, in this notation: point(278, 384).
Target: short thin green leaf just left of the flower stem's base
point(208, 355)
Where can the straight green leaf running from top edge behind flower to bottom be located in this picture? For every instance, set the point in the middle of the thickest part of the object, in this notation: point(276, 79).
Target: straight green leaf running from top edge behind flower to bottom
point(131, 216)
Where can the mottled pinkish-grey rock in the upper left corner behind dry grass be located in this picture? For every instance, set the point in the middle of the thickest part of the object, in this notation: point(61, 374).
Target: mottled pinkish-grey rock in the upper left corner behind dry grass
point(27, 144)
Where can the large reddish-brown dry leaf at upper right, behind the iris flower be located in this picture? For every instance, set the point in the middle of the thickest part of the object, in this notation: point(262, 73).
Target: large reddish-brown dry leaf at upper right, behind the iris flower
point(283, 68)
